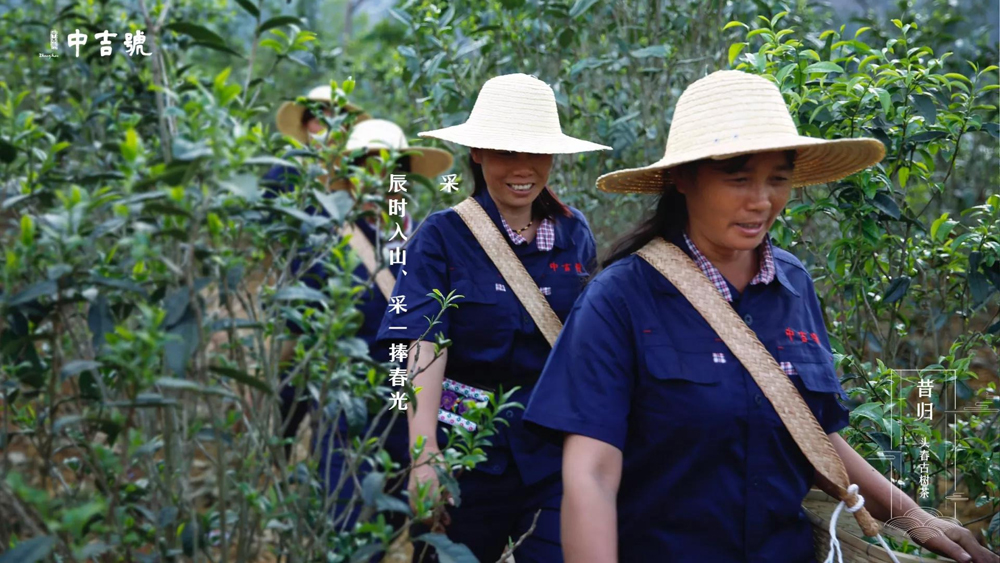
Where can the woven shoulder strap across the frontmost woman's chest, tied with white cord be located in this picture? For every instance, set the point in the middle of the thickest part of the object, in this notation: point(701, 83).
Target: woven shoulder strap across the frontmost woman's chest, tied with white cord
point(684, 274)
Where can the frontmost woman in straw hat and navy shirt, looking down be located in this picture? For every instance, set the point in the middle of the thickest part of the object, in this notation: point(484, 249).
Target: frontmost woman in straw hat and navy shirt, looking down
point(673, 452)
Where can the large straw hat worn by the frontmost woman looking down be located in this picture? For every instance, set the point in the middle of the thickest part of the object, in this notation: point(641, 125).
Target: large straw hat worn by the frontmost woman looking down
point(730, 113)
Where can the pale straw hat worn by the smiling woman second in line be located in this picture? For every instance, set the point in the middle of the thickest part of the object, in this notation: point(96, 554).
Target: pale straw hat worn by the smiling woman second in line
point(515, 112)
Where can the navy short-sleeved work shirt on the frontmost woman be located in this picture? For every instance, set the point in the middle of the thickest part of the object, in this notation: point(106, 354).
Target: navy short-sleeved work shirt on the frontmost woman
point(709, 472)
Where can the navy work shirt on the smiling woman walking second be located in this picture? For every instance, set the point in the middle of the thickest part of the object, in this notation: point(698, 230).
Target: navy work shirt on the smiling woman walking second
point(494, 339)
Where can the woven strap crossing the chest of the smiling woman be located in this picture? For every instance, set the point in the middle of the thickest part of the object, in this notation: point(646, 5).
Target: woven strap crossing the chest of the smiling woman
point(510, 267)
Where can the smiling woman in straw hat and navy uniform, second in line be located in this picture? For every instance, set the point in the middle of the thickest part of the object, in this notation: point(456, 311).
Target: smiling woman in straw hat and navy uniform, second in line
point(513, 132)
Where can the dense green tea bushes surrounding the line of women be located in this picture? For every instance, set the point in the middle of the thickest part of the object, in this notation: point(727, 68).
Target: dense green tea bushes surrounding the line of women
point(137, 244)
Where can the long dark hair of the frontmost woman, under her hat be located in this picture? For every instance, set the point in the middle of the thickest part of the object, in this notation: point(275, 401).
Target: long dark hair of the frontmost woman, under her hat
point(670, 217)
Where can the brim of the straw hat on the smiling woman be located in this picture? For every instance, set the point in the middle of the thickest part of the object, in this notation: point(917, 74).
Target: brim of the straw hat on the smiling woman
point(511, 139)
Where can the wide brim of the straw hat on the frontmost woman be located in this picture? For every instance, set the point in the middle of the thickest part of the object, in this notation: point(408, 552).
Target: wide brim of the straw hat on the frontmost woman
point(818, 161)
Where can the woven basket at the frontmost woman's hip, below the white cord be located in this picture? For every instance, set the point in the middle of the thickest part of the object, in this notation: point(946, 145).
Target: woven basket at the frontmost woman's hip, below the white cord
point(819, 507)
